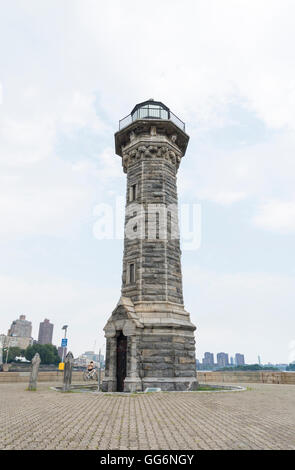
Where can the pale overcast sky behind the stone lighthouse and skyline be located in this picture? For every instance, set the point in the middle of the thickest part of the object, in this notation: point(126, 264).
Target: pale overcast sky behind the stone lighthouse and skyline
point(69, 70)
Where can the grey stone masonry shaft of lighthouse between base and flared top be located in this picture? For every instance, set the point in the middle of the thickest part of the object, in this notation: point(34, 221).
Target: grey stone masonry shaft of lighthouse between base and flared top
point(157, 262)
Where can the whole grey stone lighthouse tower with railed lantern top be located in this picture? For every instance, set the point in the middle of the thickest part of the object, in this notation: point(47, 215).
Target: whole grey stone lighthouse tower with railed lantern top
point(150, 338)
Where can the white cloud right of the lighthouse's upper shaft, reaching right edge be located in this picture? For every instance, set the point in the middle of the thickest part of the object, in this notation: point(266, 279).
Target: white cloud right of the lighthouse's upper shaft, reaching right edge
point(262, 174)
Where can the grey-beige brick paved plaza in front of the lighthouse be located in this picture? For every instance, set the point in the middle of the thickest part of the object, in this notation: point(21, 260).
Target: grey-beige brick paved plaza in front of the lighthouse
point(260, 418)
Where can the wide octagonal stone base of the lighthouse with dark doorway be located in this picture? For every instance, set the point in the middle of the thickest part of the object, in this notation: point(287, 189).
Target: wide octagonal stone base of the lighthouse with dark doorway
point(149, 345)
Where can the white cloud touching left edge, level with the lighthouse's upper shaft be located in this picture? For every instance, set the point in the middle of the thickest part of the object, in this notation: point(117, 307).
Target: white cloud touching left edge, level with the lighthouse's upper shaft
point(42, 206)
